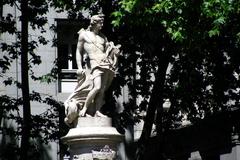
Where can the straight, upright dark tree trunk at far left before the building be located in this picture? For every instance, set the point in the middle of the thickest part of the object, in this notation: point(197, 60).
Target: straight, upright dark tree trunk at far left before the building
point(25, 83)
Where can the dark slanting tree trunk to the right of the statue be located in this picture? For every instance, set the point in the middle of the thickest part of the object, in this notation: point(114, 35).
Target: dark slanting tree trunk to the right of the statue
point(155, 106)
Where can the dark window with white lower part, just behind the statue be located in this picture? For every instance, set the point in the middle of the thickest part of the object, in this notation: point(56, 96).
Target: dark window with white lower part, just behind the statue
point(67, 37)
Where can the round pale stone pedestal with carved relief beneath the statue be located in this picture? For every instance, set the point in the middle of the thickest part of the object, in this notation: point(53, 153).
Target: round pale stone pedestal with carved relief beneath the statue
point(94, 138)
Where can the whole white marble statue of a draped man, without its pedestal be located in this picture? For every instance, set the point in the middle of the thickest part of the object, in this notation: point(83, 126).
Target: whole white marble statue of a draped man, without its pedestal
point(97, 61)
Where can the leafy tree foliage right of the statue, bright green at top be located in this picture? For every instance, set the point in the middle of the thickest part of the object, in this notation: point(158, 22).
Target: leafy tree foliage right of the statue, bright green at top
point(201, 41)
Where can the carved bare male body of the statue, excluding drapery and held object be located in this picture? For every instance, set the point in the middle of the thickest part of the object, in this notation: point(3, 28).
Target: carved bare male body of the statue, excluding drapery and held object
point(93, 44)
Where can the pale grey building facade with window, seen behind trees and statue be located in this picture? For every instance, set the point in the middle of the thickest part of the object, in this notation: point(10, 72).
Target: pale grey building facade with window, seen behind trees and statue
point(66, 35)
